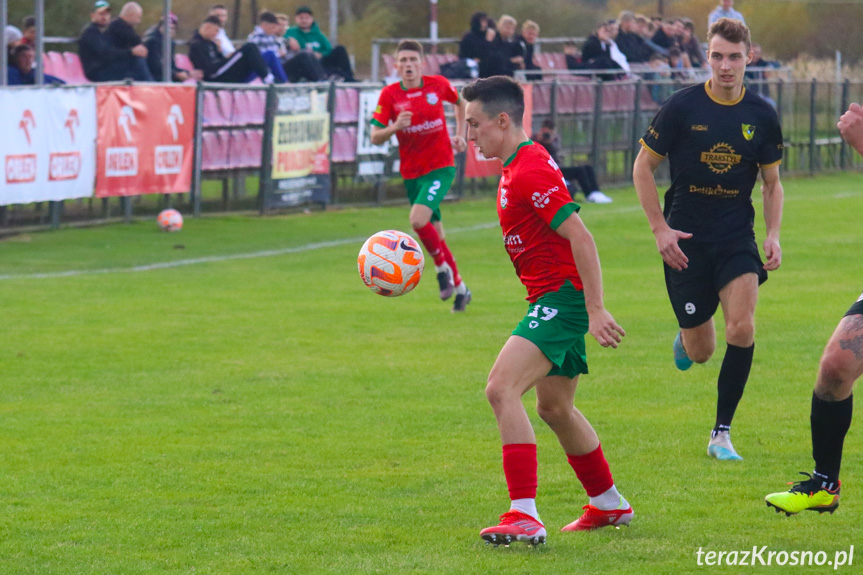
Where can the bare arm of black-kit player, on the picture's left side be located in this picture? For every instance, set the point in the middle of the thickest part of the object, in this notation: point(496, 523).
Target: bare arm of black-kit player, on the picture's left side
point(645, 165)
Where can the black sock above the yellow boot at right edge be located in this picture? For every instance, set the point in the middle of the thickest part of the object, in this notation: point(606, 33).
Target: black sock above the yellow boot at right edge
point(830, 421)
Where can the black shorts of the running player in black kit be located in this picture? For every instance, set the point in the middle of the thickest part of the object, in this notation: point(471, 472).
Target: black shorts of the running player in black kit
point(694, 292)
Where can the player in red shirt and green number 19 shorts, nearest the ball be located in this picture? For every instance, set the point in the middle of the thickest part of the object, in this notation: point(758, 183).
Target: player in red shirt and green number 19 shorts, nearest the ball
point(555, 258)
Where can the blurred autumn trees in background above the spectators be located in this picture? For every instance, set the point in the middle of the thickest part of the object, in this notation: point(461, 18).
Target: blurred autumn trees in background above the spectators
point(784, 28)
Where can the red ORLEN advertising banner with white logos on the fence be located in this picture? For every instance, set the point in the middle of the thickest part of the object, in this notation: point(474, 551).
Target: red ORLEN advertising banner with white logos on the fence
point(146, 139)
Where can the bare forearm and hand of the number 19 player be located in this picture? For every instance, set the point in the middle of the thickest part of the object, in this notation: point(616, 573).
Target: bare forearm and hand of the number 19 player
point(602, 324)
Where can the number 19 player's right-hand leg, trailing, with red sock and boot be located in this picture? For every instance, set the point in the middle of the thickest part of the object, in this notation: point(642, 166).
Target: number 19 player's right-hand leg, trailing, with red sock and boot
point(554, 403)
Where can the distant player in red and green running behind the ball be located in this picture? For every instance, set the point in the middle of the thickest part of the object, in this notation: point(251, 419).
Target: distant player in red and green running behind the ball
point(413, 110)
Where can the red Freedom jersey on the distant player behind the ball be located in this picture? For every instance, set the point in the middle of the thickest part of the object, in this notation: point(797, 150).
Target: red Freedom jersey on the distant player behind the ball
point(424, 146)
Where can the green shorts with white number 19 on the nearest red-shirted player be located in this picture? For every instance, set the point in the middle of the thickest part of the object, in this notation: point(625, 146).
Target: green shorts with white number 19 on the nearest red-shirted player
point(557, 323)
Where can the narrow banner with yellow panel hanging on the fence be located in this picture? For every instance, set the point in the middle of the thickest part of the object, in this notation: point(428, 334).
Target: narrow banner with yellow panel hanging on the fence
point(300, 171)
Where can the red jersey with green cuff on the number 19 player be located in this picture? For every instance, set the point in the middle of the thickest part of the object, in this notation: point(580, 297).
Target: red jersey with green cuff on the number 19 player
point(532, 200)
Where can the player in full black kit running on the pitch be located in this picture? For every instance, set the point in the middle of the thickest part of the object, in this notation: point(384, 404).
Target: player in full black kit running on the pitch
point(705, 234)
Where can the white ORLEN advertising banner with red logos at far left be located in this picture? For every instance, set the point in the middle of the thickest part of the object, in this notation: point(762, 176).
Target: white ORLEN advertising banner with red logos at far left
point(48, 144)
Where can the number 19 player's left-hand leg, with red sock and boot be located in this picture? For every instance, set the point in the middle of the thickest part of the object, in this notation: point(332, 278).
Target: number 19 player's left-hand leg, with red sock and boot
point(519, 364)
